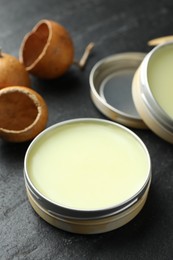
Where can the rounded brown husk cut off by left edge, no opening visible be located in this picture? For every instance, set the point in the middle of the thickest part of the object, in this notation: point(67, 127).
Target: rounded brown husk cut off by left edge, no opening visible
point(12, 72)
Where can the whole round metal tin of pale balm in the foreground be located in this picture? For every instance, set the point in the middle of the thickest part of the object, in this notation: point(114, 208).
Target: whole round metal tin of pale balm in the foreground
point(94, 192)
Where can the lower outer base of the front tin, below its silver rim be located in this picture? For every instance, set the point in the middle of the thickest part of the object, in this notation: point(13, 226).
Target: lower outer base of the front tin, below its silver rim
point(89, 226)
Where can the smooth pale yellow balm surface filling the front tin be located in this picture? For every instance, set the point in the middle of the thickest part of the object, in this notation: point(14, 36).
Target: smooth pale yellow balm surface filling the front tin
point(88, 165)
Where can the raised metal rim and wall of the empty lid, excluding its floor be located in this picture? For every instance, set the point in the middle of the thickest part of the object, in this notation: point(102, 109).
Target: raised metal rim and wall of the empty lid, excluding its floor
point(100, 72)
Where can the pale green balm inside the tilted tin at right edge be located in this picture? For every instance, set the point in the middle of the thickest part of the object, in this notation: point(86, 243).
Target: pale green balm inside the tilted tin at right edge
point(160, 77)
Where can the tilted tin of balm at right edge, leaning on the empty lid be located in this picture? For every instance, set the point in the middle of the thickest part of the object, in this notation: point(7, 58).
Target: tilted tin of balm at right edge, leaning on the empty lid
point(153, 91)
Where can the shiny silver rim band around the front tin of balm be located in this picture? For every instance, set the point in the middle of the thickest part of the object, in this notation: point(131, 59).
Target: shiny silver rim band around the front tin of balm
point(84, 214)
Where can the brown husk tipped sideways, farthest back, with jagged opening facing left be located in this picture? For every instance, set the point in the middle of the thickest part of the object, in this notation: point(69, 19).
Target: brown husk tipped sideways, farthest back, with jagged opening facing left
point(47, 51)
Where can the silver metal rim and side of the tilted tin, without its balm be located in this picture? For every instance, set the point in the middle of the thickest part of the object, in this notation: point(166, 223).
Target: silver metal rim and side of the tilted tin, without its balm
point(149, 109)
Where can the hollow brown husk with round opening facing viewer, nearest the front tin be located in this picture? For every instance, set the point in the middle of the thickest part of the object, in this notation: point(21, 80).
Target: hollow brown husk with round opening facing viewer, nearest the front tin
point(23, 114)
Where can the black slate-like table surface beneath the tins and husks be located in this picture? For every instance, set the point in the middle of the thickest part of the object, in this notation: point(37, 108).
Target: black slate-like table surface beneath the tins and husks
point(115, 27)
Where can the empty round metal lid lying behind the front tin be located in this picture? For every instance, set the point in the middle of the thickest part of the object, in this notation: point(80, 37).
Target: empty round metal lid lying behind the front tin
point(110, 85)
